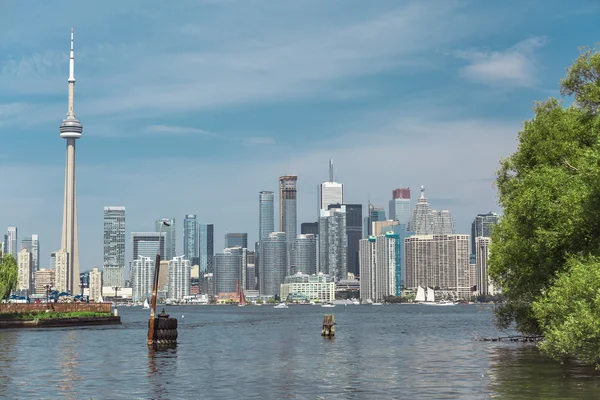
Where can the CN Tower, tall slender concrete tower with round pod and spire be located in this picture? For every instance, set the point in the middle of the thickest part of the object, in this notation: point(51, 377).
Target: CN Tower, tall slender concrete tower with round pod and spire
point(71, 129)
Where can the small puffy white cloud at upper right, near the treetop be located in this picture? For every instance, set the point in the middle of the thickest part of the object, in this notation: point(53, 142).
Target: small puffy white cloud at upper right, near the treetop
point(513, 67)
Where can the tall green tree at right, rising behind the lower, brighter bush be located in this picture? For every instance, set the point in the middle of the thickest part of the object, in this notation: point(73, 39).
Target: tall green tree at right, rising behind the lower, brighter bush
point(550, 192)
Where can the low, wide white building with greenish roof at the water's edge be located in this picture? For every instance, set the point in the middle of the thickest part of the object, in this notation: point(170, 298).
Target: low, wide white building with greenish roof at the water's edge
point(305, 287)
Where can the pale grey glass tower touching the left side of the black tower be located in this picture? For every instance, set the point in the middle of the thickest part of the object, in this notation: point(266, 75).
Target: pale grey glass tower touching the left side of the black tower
point(333, 250)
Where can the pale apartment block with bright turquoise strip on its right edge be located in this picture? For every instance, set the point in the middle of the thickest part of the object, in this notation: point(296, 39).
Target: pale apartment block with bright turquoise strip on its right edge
point(380, 266)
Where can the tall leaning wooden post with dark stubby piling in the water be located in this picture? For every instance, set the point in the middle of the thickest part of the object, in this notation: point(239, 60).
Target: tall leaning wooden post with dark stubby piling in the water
point(161, 330)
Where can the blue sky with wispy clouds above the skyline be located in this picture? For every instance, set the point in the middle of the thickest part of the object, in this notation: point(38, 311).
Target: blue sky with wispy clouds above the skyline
point(196, 106)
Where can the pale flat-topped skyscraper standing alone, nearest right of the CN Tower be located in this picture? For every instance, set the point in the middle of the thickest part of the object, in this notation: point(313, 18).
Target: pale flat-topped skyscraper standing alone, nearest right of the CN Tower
point(114, 246)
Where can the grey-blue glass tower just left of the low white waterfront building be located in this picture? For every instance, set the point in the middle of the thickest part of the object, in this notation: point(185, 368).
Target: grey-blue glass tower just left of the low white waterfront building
point(273, 263)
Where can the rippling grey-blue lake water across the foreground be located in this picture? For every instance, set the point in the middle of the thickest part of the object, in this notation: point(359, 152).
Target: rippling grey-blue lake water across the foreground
point(389, 352)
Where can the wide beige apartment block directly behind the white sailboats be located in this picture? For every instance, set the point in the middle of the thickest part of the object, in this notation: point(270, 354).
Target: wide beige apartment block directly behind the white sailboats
point(438, 261)
